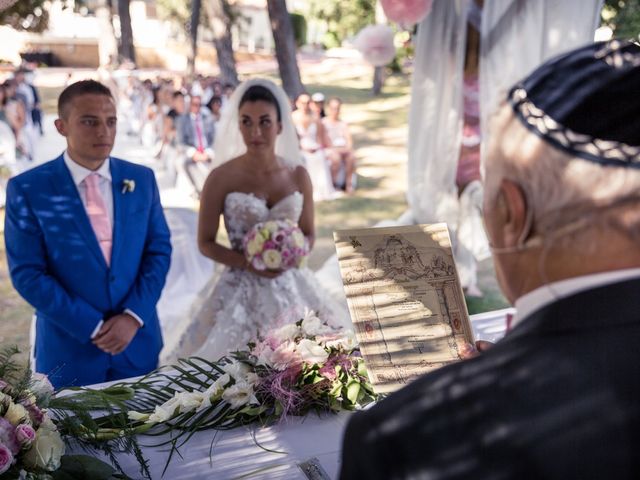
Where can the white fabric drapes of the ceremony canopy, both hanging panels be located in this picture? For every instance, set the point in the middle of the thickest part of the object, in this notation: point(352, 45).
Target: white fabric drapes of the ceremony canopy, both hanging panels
point(516, 36)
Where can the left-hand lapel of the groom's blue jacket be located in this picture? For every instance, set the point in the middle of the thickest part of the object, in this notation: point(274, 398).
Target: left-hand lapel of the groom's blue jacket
point(63, 183)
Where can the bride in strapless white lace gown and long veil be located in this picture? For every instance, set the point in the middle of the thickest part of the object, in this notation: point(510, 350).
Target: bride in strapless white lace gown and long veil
point(261, 177)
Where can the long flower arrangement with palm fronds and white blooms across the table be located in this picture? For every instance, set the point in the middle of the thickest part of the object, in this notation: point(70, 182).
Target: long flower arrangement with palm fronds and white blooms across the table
point(299, 368)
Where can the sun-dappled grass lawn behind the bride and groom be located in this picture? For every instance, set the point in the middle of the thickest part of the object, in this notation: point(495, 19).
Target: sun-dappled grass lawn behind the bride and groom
point(379, 127)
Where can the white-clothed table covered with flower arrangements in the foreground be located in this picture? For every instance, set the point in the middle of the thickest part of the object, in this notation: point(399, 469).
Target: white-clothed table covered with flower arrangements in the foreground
point(275, 410)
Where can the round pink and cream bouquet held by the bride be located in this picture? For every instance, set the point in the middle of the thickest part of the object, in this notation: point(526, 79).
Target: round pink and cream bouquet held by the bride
point(275, 245)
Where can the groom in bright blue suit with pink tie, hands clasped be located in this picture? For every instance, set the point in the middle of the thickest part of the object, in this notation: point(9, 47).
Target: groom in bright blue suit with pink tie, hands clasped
point(88, 247)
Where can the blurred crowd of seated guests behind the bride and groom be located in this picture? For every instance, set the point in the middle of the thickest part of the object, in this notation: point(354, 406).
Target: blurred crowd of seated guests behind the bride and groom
point(175, 119)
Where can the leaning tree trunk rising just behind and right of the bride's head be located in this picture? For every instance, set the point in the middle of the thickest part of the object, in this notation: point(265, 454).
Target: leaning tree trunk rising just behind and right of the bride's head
point(285, 47)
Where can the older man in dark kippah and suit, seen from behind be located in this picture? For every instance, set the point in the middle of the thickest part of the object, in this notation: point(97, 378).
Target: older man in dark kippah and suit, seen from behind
point(557, 398)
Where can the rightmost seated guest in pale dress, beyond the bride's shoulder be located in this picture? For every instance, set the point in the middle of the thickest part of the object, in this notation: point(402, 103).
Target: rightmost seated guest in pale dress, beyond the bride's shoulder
point(340, 154)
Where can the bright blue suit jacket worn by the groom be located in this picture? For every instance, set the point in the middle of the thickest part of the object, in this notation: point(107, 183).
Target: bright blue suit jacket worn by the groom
point(56, 264)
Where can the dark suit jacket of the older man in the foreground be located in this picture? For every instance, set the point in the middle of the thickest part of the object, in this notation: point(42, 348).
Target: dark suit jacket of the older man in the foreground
point(557, 398)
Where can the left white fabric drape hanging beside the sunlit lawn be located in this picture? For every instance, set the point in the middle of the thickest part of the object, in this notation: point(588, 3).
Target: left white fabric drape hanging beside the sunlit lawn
point(435, 116)
